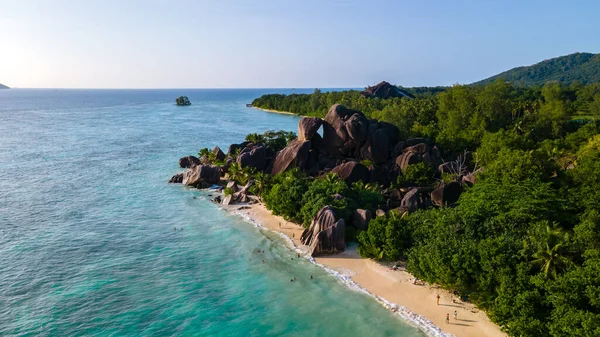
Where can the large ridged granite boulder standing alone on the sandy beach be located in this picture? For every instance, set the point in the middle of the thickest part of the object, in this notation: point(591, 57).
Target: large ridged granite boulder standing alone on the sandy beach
point(326, 233)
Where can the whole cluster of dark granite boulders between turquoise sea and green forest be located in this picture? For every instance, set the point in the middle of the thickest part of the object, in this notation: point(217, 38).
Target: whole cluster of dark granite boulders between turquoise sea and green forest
point(353, 147)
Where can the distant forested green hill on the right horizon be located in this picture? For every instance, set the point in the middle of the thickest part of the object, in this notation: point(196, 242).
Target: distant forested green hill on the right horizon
point(581, 67)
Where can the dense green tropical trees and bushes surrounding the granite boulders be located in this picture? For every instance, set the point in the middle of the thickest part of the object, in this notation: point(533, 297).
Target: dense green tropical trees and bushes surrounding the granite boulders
point(524, 242)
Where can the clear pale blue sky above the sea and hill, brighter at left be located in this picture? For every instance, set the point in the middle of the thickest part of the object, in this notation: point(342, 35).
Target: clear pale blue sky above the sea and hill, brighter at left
point(282, 43)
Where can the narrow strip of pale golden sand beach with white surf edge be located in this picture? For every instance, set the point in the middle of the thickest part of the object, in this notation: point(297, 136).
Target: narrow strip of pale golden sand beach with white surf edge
point(395, 290)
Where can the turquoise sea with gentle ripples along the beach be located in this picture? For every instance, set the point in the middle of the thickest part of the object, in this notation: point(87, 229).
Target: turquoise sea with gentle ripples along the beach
point(87, 245)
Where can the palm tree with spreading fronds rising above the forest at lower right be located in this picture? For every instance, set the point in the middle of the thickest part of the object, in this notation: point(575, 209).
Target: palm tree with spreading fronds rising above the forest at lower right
point(551, 257)
